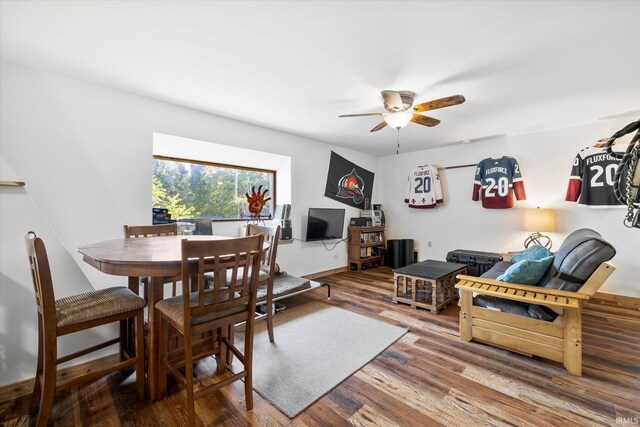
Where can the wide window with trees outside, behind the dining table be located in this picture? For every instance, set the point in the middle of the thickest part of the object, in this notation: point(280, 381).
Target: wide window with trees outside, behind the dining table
point(194, 189)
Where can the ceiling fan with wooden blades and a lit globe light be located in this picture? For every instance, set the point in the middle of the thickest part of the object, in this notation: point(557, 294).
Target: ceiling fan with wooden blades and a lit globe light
point(401, 110)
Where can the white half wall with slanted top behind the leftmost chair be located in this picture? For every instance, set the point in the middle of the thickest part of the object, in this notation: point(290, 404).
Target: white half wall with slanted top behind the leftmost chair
point(18, 327)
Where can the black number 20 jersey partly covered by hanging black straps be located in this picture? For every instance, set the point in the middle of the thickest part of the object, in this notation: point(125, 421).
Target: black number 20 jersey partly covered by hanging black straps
point(591, 181)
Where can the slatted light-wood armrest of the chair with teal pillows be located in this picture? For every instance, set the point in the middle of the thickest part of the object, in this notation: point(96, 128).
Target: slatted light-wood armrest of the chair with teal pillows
point(518, 292)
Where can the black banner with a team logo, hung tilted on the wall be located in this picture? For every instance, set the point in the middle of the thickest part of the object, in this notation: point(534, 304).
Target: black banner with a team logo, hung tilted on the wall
point(348, 183)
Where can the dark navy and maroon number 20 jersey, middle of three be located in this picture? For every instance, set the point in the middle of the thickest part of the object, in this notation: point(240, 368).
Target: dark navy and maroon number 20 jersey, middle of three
point(497, 180)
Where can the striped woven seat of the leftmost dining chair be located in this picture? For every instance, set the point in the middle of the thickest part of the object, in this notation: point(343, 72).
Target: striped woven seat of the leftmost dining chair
point(96, 305)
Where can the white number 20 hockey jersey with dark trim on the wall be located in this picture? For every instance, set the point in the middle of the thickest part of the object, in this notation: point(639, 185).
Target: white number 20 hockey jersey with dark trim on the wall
point(424, 190)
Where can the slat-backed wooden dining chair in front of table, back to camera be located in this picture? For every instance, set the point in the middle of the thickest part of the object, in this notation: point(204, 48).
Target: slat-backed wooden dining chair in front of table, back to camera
point(214, 309)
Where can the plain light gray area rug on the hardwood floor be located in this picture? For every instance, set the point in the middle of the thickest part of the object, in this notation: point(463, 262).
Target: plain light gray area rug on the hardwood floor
point(317, 347)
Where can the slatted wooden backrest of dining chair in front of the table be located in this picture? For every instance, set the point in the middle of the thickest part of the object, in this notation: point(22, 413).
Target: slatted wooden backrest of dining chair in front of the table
point(218, 257)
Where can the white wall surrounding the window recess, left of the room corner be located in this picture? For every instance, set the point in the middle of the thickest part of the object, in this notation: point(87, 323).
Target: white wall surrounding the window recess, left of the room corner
point(85, 152)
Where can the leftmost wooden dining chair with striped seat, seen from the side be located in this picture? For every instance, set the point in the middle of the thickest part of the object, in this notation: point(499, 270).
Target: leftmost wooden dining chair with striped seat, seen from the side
point(73, 314)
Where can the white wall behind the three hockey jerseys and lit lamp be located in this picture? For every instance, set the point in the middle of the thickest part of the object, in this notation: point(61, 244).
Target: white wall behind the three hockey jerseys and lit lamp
point(545, 159)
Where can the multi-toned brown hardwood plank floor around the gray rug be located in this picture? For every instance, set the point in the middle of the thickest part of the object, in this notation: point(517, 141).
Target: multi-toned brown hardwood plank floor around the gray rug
point(428, 377)
